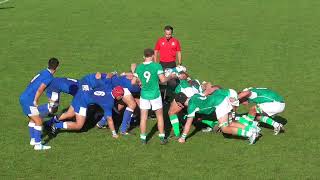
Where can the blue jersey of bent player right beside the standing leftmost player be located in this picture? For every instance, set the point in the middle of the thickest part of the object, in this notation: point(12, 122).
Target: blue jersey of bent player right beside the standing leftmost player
point(65, 85)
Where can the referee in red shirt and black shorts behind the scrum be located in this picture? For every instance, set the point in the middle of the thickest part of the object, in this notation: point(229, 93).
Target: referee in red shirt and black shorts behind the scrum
point(168, 48)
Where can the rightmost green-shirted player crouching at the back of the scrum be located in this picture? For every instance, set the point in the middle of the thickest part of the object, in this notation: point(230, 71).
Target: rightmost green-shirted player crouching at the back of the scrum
point(267, 104)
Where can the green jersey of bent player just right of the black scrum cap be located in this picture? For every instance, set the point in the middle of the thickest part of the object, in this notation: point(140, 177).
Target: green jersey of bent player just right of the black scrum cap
point(204, 105)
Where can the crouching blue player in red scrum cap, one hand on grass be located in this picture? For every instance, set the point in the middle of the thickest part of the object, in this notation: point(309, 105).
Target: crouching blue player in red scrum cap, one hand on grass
point(100, 96)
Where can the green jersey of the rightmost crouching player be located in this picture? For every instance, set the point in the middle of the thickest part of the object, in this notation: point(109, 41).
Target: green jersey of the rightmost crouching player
point(264, 95)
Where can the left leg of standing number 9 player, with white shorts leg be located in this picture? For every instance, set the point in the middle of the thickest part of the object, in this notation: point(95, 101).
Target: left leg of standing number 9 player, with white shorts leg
point(145, 105)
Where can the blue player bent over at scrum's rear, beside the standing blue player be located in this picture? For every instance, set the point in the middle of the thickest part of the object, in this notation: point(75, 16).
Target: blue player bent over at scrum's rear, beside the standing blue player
point(53, 91)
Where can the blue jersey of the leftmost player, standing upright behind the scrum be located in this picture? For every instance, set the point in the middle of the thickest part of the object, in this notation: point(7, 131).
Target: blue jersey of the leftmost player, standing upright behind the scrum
point(43, 77)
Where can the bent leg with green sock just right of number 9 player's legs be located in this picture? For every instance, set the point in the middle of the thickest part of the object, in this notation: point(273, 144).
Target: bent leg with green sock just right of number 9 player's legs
point(174, 120)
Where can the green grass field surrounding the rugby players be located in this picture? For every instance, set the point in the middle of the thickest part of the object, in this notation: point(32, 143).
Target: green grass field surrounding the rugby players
point(233, 43)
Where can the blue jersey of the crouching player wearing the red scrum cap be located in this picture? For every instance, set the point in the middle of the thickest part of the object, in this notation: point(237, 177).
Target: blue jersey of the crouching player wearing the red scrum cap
point(99, 96)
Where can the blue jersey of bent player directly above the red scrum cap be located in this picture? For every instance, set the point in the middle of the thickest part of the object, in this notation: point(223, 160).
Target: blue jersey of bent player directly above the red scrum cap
point(123, 81)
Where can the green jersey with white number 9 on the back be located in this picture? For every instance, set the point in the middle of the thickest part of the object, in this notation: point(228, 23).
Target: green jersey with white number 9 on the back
point(148, 73)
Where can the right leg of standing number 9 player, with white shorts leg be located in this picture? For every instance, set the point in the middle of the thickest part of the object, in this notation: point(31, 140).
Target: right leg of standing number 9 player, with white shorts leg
point(157, 107)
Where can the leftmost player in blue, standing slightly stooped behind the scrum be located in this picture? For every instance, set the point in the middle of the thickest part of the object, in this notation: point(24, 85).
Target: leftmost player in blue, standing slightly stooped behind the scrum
point(29, 102)
